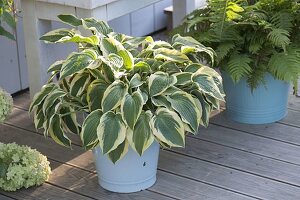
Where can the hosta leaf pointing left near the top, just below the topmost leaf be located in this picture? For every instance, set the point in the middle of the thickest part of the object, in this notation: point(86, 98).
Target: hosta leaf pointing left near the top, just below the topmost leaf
point(56, 35)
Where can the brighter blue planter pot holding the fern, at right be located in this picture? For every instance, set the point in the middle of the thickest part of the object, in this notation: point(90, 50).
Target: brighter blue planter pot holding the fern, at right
point(267, 103)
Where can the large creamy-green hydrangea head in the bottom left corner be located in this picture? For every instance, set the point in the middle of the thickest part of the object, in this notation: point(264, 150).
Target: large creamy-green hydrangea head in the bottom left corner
point(21, 166)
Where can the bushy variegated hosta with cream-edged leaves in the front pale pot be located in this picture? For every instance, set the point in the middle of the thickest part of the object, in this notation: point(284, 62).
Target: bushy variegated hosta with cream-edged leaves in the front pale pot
point(133, 90)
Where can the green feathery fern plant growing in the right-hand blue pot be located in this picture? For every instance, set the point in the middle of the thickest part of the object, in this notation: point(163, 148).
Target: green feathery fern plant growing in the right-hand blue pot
point(250, 37)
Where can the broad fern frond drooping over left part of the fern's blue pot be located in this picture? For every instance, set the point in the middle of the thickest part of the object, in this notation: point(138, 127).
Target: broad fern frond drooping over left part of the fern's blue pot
point(239, 66)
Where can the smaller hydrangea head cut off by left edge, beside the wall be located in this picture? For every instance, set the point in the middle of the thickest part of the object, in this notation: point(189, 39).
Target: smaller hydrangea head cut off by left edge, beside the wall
point(6, 104)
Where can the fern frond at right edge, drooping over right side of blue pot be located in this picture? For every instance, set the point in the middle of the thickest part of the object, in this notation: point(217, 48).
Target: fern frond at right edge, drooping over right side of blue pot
point(286, 65)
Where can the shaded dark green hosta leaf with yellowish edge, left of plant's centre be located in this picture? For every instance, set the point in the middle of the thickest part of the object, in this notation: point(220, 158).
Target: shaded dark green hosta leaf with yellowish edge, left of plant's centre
point(95, 94)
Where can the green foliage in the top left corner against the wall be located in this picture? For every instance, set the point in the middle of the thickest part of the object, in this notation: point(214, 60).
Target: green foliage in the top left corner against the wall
point(7, 18)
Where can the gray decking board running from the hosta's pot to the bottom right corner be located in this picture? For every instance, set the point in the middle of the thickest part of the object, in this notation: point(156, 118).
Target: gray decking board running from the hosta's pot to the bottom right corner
point(230, 179)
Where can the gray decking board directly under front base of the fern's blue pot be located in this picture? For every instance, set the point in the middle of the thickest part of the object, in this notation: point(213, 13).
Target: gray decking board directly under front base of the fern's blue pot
point(275, 131)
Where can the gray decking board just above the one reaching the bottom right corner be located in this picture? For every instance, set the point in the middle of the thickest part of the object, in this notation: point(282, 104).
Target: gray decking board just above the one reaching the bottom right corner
point(242, 161)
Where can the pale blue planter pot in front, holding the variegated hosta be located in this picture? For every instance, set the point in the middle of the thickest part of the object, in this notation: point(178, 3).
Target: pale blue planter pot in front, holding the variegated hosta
point(132, 173)
